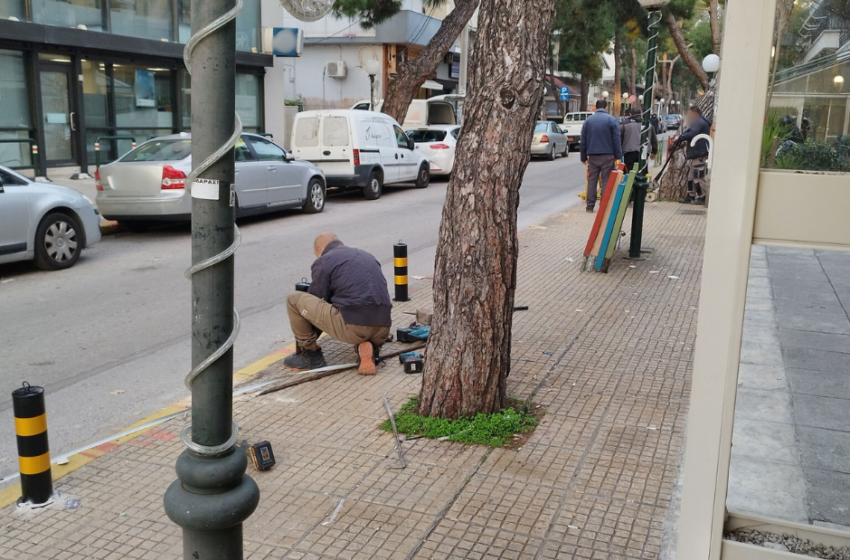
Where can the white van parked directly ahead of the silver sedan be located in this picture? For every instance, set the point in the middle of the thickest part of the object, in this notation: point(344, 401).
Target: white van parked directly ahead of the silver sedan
point(359, 149)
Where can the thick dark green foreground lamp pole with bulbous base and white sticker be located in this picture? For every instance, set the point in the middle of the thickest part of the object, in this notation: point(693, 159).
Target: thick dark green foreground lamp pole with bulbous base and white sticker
point(213, 495)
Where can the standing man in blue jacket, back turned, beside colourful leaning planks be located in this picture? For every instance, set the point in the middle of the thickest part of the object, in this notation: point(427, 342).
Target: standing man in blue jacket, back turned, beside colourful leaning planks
point(600, 149)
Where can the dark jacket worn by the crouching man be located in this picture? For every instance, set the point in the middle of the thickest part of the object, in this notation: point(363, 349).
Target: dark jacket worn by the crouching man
point(351, 280)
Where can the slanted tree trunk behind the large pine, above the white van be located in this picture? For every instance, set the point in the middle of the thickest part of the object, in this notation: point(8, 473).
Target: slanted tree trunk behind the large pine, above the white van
point(413, 73)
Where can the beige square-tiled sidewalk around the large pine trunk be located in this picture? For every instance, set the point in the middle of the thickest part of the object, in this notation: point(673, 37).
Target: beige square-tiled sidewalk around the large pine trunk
point(607, 356)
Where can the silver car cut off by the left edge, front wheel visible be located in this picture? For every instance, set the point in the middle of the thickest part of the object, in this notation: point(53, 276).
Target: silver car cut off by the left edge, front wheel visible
point(44, 222)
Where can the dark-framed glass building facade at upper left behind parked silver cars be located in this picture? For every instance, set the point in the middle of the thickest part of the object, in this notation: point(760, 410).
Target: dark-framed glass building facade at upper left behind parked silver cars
point(75, 71)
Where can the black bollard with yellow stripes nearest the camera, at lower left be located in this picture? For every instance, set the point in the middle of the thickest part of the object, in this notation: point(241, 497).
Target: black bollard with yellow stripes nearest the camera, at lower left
point(33, 452)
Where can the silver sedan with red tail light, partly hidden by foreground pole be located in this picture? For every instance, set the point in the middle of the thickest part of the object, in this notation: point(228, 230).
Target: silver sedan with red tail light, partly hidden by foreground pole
point(149, 183)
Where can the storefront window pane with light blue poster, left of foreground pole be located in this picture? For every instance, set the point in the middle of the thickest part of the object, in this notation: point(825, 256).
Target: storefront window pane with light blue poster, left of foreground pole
point(143, 97)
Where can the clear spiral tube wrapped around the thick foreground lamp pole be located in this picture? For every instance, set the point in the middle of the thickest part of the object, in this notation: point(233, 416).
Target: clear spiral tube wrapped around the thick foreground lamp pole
point(186, 434)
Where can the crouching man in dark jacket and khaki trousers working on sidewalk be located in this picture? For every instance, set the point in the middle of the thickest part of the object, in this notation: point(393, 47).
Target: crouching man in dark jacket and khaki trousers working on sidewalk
point(348, 299)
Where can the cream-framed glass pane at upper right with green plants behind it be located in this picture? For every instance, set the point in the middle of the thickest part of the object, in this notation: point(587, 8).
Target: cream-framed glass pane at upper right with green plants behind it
point(808, 121)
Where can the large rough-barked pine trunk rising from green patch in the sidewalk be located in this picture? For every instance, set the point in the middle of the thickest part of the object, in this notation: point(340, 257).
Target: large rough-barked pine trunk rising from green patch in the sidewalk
point(475, 270)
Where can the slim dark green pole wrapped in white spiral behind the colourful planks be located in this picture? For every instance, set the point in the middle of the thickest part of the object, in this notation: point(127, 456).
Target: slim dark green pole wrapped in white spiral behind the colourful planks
point(641, 184)
